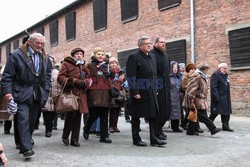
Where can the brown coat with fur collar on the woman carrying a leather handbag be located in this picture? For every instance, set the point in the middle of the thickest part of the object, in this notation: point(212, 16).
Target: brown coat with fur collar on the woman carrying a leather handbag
point(75, 73)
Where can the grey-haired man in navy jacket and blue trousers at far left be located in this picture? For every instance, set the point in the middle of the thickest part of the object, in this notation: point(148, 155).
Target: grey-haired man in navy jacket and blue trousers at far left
point(27, 80)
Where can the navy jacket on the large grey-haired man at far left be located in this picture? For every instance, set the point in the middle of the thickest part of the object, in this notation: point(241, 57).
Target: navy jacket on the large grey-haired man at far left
point(21, 81)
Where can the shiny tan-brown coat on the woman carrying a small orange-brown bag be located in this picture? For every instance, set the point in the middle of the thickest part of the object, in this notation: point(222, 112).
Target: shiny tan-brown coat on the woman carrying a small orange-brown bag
point(197, 89)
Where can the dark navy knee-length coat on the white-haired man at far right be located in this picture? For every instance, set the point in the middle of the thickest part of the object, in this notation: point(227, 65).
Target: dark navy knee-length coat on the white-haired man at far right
point(220, 94)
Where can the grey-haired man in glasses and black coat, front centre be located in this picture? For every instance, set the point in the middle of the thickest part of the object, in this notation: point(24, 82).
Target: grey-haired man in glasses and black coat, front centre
point(142, 79)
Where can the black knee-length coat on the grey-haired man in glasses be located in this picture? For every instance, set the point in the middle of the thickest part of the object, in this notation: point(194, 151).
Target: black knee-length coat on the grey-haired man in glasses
point(141, 70)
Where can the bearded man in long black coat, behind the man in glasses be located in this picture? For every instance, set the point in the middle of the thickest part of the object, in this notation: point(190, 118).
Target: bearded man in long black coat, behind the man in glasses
point(163, 71)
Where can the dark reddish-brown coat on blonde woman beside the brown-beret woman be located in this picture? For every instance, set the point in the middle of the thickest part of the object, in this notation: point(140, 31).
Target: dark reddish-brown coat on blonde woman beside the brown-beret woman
point(99, 93)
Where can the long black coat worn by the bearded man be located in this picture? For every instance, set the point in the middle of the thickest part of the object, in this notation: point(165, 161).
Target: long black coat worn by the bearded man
point(163, 72)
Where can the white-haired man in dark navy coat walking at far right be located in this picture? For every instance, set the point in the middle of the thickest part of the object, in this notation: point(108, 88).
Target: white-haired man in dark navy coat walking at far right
point(220, 96)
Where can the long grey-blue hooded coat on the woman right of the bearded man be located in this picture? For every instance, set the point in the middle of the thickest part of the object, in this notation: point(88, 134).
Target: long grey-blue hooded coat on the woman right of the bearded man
point(175, 90)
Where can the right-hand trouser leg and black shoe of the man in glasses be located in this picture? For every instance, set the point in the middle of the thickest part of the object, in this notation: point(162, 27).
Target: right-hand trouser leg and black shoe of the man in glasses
point(154, 141)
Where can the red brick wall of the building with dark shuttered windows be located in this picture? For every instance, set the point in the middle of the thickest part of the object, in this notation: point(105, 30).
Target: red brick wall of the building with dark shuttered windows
point(212, 17)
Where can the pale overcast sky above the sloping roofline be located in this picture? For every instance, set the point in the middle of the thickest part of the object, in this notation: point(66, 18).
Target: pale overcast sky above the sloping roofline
point(18, 15)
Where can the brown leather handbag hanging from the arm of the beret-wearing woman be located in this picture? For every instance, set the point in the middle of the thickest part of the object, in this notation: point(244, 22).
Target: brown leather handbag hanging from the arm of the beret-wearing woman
point(67, 102)
